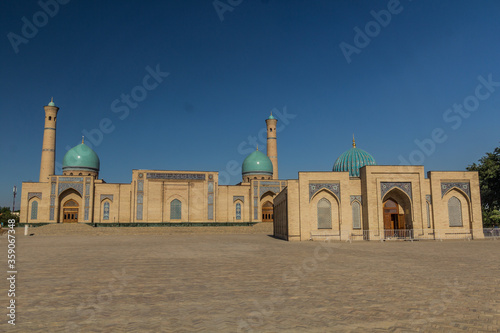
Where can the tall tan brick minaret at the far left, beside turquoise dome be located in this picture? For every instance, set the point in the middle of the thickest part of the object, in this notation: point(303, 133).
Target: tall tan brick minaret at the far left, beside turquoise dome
point(47, 165)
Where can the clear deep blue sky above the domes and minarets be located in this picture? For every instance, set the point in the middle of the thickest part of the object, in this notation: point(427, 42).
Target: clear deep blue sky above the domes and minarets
point(225, 76)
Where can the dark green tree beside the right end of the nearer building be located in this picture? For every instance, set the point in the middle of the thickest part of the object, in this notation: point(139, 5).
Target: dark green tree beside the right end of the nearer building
point(488, 168)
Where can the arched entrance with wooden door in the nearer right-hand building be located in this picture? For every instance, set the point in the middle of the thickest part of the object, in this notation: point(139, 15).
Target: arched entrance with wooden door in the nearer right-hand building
point(397, 216)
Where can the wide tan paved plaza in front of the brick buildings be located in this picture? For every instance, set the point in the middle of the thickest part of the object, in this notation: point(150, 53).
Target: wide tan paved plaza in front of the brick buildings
point(218, 280)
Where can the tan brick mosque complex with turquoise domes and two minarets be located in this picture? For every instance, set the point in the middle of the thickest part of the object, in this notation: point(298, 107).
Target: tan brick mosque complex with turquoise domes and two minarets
point(358, 199)
